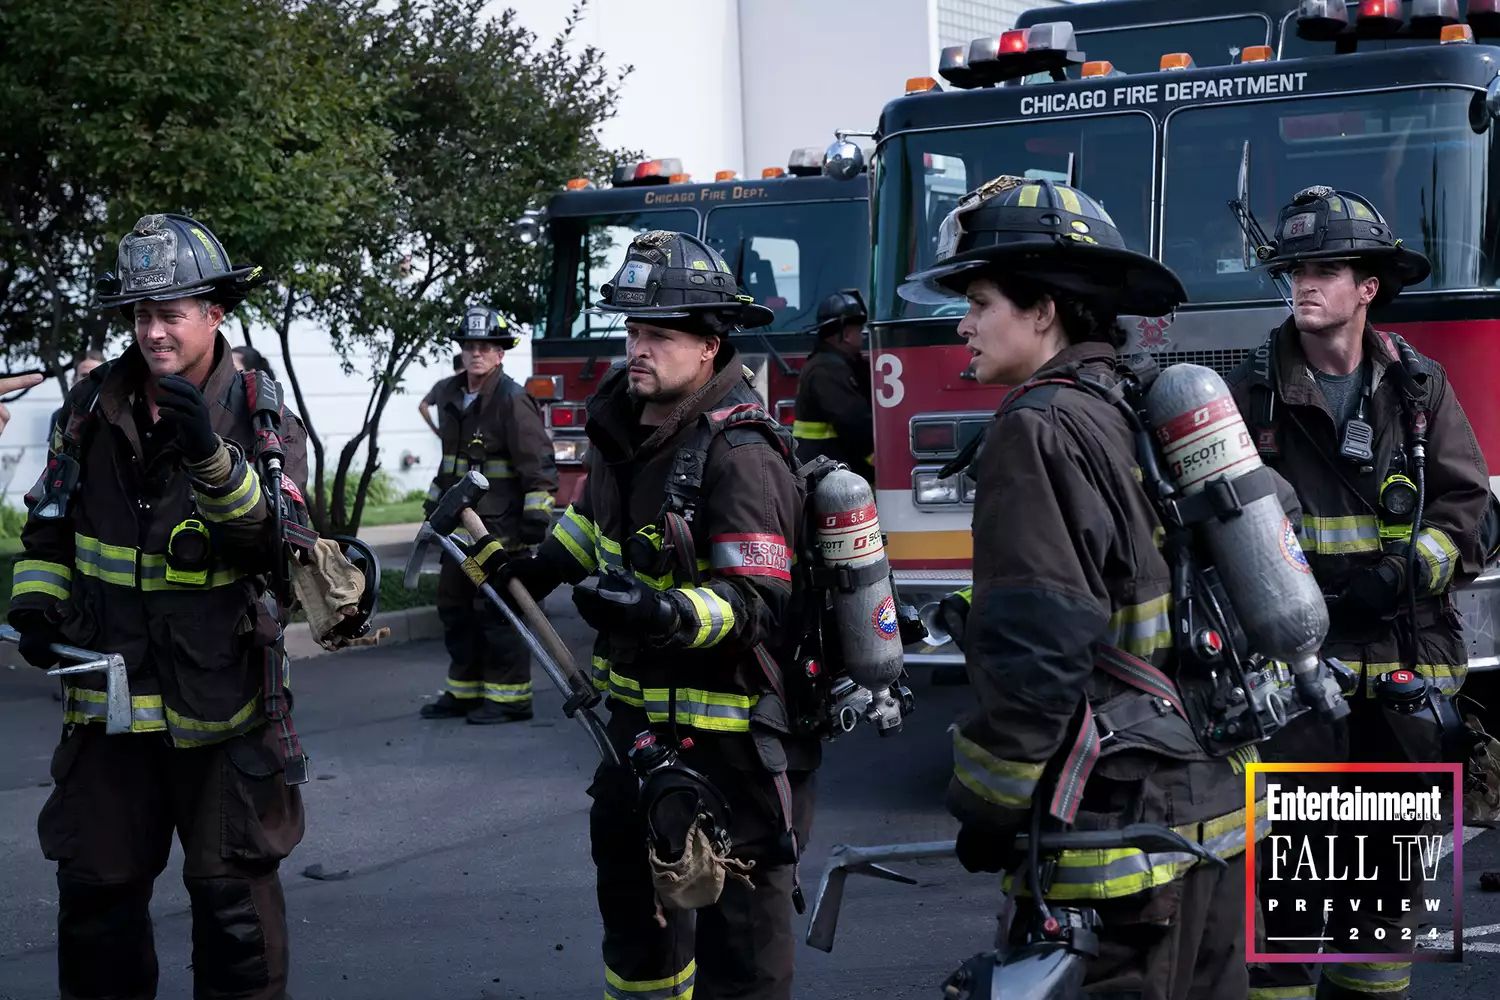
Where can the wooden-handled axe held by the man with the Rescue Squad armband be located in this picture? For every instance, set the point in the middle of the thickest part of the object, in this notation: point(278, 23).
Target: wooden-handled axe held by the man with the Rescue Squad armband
point(455, 510)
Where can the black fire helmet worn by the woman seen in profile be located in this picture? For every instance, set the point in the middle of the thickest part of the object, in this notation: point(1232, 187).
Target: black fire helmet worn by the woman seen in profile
point(1048, 233)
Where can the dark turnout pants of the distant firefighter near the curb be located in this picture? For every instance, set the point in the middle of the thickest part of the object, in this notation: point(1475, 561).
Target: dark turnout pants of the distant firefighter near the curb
point(487, 657)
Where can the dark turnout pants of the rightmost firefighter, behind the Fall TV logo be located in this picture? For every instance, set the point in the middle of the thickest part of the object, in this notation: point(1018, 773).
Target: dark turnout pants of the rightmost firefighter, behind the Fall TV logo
point(1363, 737)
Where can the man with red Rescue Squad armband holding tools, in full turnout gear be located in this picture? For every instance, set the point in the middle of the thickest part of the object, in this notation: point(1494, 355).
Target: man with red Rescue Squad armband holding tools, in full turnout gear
point(680, 557)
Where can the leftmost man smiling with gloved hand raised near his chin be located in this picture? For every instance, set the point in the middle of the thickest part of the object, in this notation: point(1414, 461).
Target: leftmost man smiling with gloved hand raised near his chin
point(163, 555)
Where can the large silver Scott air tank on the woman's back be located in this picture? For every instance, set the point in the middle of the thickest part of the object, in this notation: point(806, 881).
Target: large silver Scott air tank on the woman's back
point(1256, 552)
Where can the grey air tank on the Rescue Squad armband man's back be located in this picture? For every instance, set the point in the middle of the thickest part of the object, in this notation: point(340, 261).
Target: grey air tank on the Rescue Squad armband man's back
point(848, 534)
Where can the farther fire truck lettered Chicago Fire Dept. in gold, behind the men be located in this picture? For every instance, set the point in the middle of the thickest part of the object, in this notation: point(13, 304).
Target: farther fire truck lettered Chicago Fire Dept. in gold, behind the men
point(793, 238)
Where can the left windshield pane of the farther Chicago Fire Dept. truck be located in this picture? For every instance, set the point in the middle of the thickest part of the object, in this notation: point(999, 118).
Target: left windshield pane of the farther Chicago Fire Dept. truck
point(589, 251)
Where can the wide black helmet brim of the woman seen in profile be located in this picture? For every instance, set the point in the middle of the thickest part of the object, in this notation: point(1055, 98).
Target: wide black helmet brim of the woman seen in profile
point(1124, 281)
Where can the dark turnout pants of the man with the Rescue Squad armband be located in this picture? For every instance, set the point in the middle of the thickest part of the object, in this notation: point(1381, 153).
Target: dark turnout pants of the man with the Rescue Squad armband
point(743, 945)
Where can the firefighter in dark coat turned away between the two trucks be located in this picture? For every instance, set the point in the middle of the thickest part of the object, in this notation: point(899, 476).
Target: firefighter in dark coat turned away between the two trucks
point(833, 391)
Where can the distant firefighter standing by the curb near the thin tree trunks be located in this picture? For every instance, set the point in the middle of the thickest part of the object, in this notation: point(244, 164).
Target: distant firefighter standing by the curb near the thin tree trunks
point(490, 424)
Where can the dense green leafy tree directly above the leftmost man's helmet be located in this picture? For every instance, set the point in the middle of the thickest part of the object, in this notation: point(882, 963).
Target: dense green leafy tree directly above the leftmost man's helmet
point(247, 115)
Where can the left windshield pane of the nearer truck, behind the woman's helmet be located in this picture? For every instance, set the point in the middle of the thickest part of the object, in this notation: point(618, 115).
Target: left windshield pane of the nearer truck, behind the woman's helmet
point(922, 176)
